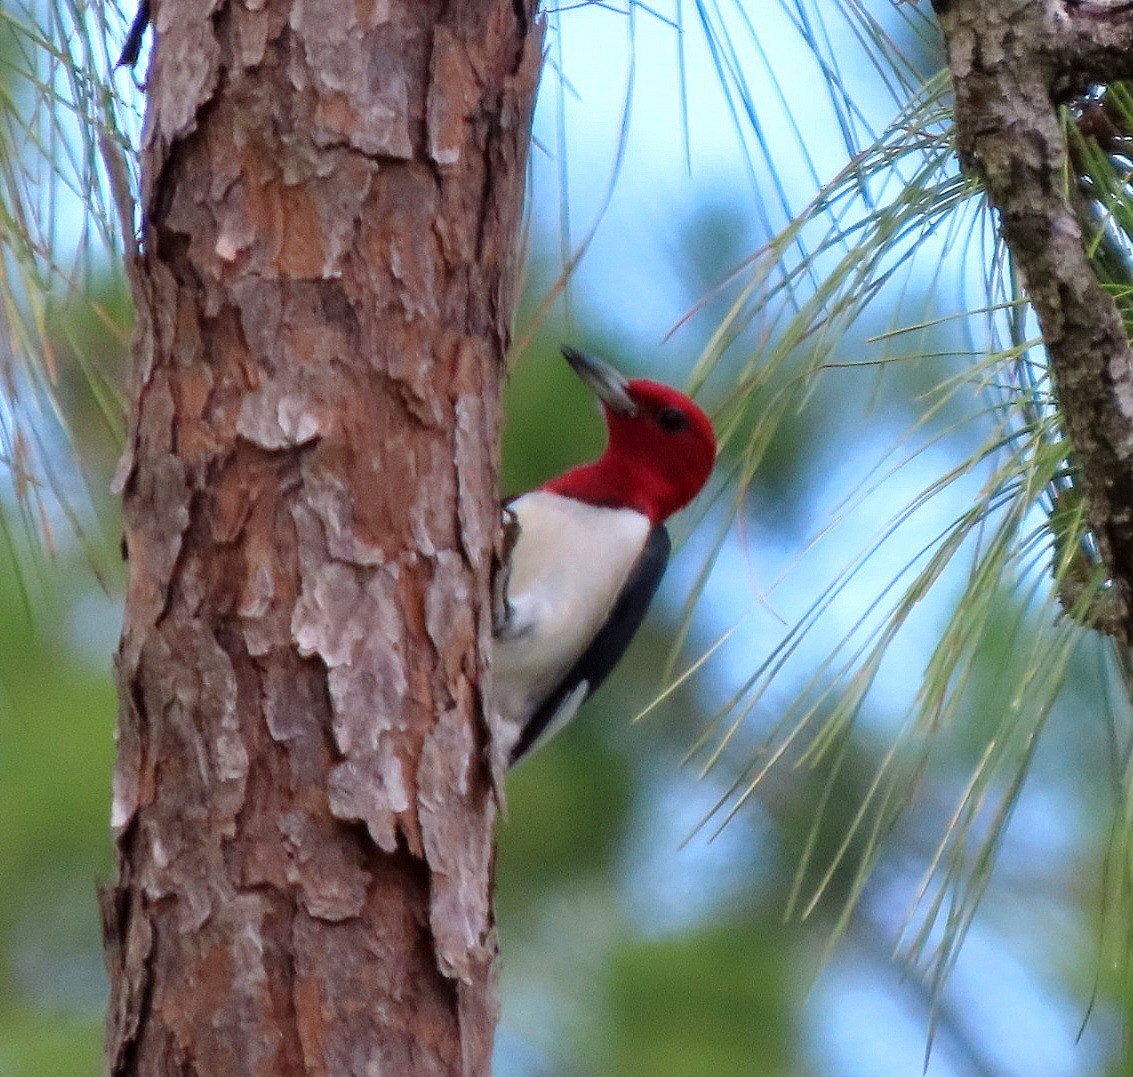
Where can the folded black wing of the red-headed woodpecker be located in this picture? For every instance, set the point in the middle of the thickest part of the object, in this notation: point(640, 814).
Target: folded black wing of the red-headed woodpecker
point(608, 647)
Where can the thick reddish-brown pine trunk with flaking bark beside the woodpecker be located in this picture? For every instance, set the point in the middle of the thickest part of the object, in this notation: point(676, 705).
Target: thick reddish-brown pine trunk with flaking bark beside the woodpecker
point(330, 198)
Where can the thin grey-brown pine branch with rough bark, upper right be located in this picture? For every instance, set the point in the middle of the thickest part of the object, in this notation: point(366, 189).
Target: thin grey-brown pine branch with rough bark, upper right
point(1012, 64)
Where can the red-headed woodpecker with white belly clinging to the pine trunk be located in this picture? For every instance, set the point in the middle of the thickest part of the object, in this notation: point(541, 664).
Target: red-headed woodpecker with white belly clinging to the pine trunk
point(587, 551)
